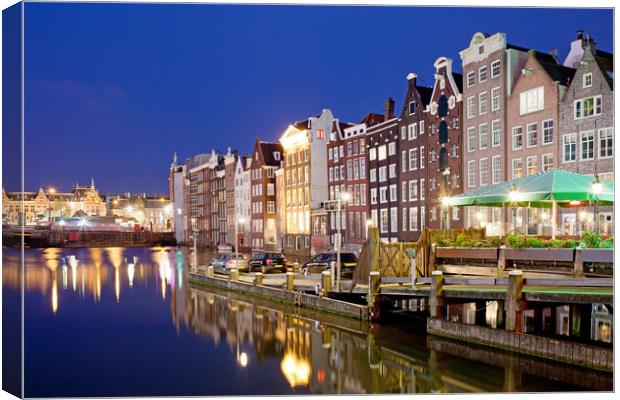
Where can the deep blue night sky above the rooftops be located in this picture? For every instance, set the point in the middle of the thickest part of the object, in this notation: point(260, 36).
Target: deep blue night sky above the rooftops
point(113, 90)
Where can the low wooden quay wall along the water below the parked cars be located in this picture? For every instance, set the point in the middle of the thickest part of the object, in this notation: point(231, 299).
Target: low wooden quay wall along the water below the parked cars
point(297, 298)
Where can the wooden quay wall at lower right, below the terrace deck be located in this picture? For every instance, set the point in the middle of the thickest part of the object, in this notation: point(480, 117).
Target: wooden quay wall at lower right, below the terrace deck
point(584, 355)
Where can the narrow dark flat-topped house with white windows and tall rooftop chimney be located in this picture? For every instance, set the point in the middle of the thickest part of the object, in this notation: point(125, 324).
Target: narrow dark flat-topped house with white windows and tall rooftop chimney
point(382, 141)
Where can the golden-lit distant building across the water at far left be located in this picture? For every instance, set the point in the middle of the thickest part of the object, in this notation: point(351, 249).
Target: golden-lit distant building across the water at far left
point(44, 205)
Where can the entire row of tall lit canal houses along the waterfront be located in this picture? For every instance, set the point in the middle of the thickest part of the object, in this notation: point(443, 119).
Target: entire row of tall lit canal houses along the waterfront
point(511, 112)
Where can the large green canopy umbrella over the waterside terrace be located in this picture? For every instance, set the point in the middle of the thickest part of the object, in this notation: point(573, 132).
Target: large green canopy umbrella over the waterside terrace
point(539, 191)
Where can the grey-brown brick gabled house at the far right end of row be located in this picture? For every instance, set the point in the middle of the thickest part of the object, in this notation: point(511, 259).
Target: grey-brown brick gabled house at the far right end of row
point(587, 129)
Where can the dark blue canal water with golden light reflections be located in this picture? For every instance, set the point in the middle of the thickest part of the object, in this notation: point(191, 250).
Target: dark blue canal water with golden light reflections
point(125, 322)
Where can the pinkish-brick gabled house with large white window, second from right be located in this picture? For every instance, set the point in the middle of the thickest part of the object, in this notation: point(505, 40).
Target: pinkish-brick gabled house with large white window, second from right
point(533, 123)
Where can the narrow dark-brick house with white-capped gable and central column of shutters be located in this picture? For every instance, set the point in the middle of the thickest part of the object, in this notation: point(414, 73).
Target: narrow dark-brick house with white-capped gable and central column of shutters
point(445, 145)
